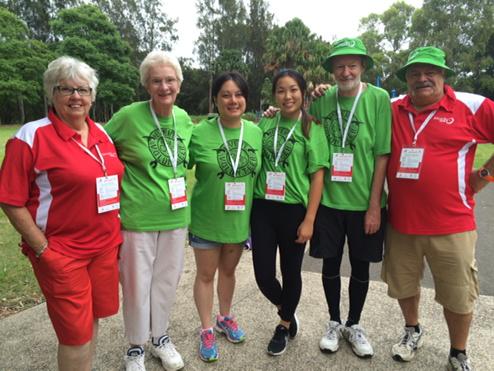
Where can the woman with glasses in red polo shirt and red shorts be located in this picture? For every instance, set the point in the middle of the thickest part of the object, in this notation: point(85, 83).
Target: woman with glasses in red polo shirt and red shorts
point(59, 186)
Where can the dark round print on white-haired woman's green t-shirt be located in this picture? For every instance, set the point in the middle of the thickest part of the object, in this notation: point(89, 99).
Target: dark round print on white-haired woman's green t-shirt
point(158, 149)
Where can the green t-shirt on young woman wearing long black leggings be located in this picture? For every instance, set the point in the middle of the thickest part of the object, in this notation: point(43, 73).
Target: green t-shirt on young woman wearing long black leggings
point(300, 157)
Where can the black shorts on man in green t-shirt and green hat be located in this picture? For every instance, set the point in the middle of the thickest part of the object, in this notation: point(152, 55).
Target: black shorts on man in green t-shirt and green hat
point(333, 226)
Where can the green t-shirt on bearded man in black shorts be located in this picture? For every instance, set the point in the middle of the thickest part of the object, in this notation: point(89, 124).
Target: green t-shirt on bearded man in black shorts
point(368, 136)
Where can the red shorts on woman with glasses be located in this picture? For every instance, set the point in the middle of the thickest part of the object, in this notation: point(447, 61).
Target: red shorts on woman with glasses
point(77, 291)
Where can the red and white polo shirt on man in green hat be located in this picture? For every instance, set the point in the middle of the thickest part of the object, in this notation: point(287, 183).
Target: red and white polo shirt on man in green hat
point(441, 200)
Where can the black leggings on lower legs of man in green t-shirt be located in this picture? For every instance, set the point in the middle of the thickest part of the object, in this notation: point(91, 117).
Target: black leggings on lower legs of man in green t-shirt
point(357, 289)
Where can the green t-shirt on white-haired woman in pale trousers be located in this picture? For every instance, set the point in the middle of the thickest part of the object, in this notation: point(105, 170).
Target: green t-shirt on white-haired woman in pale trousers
point(145, 198)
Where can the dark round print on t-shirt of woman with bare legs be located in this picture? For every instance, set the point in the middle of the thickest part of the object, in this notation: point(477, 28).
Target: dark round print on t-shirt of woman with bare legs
point(247, 163)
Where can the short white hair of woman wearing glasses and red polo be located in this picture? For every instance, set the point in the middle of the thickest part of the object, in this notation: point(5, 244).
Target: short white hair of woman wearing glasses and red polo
point(68, 68)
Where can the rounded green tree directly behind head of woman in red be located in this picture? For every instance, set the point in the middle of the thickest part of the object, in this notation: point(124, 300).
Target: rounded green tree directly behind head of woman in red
point(86, 33)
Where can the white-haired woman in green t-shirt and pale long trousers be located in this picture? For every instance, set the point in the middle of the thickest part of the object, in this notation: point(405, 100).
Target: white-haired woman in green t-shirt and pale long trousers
point(152, 139)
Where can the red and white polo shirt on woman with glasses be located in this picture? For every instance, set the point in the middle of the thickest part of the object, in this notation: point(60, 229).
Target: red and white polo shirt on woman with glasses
point(47, 172)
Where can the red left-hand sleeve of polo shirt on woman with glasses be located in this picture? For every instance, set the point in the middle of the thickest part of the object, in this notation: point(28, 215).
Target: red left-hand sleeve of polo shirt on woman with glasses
point(17, 173)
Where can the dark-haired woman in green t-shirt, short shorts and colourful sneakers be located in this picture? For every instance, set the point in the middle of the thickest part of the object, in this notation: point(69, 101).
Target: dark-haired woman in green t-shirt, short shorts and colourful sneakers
point(226, 151)
